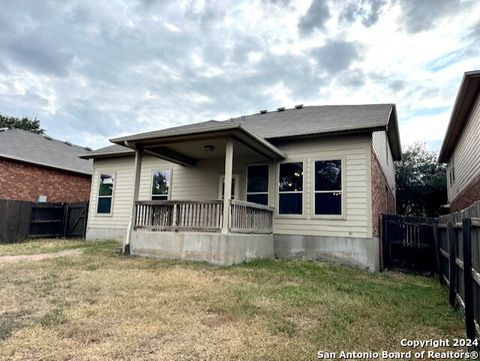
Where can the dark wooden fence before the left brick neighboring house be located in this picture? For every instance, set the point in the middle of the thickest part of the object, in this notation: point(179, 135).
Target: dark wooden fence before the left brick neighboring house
point(20, 220)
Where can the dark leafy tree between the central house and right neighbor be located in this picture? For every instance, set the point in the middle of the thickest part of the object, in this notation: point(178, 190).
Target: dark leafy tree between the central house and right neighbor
point(421, 182)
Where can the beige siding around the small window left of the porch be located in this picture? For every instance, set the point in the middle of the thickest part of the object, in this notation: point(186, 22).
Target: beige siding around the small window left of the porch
point(122, 168)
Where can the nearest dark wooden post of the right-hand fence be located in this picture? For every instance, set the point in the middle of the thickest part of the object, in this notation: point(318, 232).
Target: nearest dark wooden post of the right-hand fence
point(467, 278)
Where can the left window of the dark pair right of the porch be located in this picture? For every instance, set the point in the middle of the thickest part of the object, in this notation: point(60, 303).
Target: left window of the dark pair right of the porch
point(290, 188)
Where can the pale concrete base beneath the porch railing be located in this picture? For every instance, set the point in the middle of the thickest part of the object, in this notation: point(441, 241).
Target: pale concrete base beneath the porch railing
point(216, 248)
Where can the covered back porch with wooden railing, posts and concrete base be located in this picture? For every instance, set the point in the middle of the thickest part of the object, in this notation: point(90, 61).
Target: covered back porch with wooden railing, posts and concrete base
point(201, 227)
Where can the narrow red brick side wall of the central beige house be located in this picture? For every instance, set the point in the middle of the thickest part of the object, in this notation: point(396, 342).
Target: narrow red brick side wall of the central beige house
point(383, 200)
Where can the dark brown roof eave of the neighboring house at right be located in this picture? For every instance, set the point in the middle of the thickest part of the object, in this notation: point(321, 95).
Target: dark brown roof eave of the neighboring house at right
point(466, 97)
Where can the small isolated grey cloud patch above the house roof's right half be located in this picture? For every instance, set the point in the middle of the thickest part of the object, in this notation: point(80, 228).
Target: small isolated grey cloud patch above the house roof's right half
point(336, 55)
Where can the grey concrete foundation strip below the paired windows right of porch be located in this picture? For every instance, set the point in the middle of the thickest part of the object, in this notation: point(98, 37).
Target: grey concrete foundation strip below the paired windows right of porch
point(363, 253)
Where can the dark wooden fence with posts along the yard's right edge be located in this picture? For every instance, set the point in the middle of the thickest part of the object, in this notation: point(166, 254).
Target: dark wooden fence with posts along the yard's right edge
point(458, 266)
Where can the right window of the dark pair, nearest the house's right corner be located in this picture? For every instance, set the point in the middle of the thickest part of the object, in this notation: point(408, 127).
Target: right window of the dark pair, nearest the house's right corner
point(328, 187)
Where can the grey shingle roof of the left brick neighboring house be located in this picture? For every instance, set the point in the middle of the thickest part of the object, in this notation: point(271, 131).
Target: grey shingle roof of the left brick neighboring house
point(42, 150)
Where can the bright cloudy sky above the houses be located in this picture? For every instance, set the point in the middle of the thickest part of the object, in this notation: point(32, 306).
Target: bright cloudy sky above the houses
point(93, 70)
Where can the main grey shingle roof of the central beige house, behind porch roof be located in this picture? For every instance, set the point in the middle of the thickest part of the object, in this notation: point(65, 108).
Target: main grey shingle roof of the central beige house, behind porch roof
point(309, 120)
